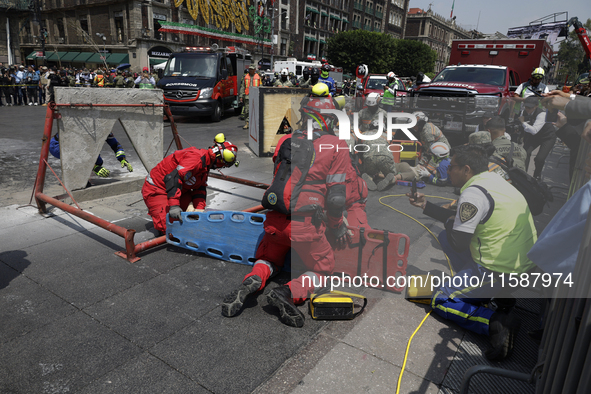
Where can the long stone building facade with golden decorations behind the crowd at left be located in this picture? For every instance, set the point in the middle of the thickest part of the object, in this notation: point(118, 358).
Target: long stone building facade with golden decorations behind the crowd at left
point(91, 33)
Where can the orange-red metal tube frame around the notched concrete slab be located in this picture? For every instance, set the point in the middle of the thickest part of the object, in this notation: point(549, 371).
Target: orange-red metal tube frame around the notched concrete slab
point(131, 249)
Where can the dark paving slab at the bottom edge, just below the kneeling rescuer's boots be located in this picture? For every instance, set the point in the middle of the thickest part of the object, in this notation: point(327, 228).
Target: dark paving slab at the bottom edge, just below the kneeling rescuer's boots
point(235, 355)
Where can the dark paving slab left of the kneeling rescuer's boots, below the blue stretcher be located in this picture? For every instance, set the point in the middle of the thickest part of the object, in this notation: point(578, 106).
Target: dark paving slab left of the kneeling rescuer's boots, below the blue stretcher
point(154, 310)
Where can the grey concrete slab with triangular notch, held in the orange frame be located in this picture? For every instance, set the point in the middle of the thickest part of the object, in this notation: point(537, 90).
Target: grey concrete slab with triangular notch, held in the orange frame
point(83, 130)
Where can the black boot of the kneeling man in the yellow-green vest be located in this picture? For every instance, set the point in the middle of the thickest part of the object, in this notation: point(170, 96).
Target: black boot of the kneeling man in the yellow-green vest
point(503, 330)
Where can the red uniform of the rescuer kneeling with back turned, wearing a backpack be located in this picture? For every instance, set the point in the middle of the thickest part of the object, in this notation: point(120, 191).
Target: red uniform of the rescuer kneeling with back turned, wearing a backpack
point(297, 231)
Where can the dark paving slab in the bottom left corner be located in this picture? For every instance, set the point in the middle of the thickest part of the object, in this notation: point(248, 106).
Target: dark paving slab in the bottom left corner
point(62, 357)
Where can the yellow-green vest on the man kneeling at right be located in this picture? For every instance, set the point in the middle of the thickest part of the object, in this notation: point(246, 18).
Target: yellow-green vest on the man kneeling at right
point(501, 244)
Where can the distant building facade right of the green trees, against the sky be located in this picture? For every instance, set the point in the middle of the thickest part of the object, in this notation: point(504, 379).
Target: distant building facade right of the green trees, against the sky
point(436, 31)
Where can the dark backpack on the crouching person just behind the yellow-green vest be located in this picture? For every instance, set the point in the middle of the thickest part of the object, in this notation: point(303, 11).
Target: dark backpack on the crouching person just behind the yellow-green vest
point(536, 193)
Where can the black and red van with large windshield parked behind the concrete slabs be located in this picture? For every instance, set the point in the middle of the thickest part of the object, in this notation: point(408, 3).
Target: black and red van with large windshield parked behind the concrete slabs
point(204, 81)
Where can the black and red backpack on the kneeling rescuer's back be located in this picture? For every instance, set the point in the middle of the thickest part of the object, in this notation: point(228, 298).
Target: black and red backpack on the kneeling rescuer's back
point(295, 157)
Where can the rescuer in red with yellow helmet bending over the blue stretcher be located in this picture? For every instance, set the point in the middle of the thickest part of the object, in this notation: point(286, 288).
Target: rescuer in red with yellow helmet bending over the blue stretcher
point(181, 178)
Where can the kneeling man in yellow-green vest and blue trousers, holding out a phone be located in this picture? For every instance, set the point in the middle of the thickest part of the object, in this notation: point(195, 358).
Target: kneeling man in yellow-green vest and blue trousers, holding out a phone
point(489, 210)
